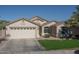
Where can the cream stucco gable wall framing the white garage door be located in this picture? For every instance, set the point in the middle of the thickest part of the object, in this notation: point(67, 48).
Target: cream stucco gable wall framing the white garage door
point(22, 23)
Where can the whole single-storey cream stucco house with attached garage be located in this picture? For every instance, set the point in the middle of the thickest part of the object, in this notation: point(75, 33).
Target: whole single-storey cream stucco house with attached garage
point(34, 28)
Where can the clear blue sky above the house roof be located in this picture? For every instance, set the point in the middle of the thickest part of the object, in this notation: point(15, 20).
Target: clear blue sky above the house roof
point(49, 12)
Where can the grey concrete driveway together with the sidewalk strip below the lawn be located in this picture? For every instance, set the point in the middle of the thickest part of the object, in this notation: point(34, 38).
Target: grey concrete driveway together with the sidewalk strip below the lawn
point(27, 46)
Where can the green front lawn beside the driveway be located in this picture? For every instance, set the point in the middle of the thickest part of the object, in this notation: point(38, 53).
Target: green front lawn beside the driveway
point(59, 44)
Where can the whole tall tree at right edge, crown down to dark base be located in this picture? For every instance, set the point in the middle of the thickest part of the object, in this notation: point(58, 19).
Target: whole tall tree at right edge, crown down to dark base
point(73, 23)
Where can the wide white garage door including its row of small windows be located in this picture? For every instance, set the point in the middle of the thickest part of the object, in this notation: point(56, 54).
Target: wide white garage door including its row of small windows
point(22, 32)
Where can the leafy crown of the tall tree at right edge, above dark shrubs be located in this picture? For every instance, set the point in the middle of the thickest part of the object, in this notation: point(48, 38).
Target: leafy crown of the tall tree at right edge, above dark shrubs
point(74, 20)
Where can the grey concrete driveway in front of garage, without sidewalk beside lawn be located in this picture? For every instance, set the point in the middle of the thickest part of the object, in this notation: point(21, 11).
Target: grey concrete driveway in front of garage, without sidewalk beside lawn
point(15, 46)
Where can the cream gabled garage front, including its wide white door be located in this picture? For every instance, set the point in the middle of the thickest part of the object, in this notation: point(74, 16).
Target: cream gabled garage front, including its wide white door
point(22, 29)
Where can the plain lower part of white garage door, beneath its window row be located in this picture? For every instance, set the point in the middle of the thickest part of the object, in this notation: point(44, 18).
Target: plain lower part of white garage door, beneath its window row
point(22, 34)
